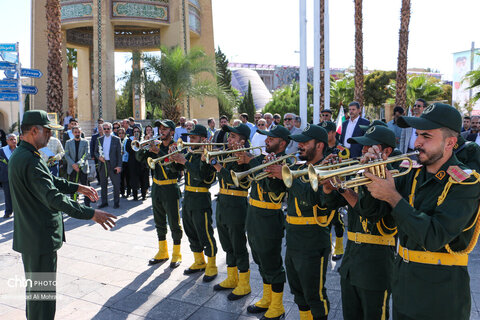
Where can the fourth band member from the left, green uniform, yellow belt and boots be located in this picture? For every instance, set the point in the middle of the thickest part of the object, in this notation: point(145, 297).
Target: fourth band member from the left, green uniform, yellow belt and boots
point(265, 227)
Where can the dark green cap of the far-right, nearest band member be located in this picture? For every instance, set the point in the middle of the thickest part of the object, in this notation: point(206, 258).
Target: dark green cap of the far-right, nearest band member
point(437, 115)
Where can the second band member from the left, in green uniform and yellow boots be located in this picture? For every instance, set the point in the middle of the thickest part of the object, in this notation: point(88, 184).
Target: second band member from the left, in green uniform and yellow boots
point(197, 207)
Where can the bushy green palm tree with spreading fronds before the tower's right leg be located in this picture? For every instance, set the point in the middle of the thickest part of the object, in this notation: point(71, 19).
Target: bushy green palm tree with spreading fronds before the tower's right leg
point(181, 75)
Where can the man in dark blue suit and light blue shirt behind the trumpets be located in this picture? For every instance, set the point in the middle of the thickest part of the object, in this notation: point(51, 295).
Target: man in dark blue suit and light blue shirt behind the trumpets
point(351, 128)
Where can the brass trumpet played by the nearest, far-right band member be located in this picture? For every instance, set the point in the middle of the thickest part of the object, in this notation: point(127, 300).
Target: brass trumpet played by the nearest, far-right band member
point(377, 167)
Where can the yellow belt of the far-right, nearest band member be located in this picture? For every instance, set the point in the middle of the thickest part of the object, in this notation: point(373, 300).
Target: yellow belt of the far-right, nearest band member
point(428, 257)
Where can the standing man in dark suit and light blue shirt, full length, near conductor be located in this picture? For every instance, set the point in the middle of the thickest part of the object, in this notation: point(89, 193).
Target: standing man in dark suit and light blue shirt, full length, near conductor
point(108, 152)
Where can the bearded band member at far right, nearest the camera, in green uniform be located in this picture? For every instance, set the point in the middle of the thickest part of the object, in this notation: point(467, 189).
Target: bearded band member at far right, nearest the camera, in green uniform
point(435, 208)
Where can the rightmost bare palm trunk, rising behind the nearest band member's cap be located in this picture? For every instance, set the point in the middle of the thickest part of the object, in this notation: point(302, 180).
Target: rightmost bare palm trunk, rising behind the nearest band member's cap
point(401, 93)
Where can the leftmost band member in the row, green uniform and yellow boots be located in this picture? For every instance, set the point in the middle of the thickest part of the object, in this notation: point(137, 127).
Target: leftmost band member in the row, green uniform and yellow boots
point(165, 196)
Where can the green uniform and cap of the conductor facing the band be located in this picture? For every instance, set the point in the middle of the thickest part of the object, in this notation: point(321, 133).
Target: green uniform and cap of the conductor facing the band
point(38, 202)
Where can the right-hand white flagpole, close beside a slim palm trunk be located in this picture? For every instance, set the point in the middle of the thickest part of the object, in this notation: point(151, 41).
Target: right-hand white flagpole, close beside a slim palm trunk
point(316, 62)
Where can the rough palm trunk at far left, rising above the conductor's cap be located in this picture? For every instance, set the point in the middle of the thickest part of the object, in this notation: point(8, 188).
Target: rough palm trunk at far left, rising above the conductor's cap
point(54, 61)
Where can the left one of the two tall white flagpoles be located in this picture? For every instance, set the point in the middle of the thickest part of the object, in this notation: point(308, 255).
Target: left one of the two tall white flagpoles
point(303, 62)
